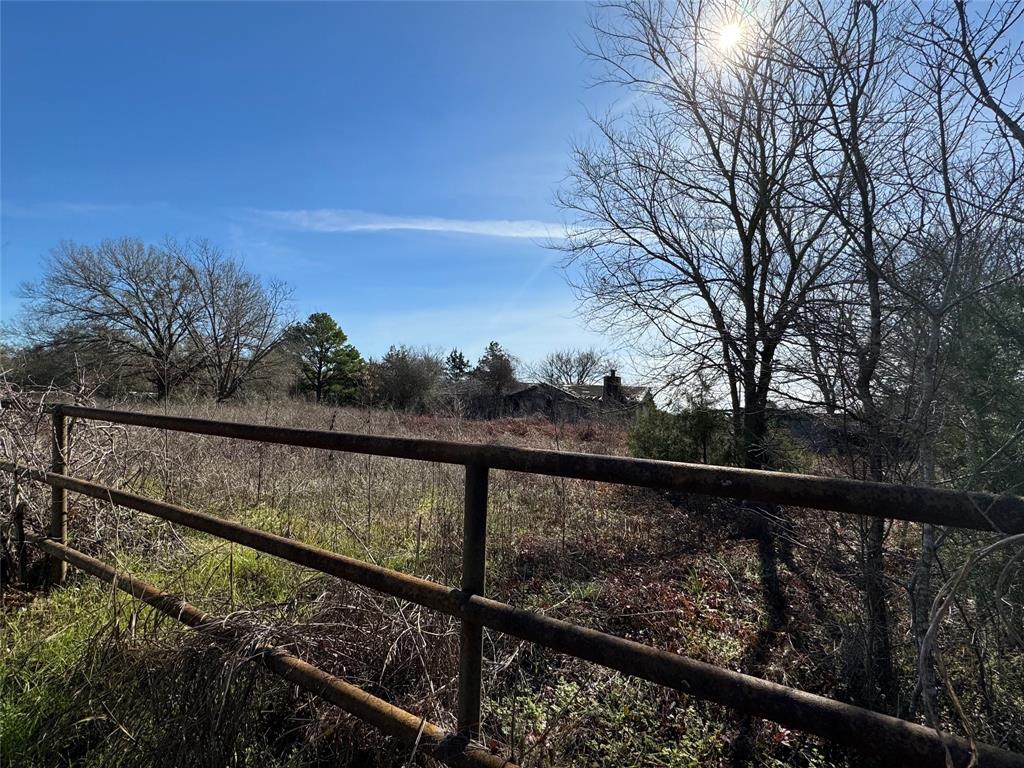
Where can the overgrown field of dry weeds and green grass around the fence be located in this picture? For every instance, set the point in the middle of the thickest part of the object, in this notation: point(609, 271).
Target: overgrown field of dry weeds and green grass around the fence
point(89, 677)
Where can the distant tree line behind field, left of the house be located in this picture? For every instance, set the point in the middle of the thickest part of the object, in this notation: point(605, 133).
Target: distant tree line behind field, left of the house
point(186, 320)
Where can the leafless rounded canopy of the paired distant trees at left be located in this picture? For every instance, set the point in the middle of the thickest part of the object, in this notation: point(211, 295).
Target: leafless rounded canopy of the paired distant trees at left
point(172, 313)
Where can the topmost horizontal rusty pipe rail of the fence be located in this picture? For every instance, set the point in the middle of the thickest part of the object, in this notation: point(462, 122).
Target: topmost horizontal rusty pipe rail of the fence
point(938, 506)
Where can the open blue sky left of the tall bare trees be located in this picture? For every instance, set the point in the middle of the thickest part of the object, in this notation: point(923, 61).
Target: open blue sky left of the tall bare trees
point(396, 163)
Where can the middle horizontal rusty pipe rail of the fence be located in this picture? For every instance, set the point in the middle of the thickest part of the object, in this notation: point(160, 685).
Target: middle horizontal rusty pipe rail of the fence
point(855, 727)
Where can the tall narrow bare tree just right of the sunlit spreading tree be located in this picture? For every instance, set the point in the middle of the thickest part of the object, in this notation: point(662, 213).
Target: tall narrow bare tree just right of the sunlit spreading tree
point(860, 64)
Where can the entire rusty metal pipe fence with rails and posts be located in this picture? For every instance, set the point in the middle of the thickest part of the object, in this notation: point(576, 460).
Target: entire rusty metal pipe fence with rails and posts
point(882, 736)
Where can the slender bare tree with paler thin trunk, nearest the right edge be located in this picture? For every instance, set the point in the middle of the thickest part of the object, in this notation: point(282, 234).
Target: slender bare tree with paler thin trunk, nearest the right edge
point(962, 182)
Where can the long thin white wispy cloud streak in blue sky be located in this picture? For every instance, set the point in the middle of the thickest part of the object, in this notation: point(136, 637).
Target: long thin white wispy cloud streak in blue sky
point(346, 221)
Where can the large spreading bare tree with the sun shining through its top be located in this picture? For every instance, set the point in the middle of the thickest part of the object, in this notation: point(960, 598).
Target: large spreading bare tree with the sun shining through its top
point(693, 223)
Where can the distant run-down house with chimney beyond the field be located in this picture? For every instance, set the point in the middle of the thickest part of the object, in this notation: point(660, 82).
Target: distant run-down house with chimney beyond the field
point(575, 402)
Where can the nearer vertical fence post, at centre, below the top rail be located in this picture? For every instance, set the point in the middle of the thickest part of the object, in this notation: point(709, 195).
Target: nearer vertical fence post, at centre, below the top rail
point(472, 639)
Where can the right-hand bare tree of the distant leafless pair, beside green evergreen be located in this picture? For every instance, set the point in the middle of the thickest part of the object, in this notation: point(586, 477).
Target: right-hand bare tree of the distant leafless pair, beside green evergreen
point(239, 319)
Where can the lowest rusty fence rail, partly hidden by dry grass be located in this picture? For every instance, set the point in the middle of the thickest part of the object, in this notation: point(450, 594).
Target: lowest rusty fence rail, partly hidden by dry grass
point(403, 726)
